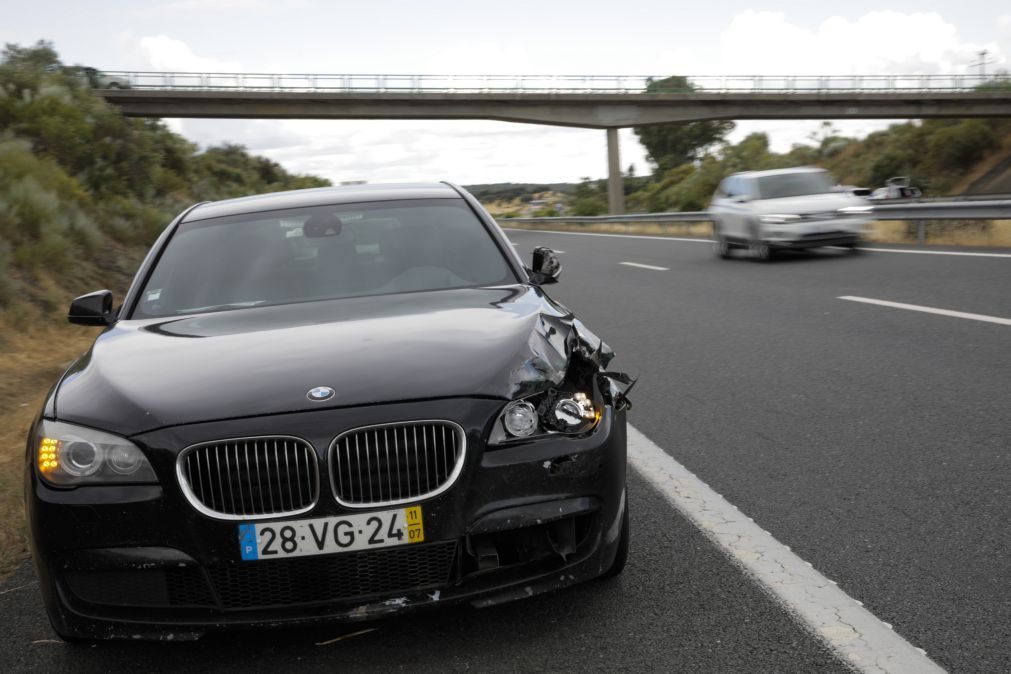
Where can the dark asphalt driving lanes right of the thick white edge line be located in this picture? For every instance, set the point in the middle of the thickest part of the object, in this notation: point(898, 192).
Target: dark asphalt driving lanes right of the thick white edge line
point(875, 442)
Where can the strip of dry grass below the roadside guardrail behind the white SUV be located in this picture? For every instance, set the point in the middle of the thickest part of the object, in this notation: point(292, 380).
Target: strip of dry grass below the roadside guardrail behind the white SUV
point(941, 233)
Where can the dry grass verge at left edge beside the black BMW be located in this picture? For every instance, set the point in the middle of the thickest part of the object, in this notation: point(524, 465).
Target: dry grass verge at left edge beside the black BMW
point(31, 360)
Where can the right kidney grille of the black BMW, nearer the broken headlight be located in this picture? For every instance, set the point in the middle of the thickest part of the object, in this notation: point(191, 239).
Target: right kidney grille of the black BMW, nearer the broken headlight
point(396, 463)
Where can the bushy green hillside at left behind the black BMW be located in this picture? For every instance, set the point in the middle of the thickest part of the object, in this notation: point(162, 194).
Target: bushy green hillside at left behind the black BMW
point(84, 190)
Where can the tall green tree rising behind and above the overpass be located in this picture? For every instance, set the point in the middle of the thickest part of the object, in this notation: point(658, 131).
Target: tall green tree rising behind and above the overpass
point(672, 145)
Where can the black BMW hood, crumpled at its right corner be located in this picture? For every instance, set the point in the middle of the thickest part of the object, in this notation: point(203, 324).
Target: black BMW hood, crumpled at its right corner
point(502, 343)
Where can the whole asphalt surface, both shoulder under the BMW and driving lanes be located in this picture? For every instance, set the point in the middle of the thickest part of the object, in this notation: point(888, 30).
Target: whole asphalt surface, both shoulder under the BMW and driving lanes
point(874, 441)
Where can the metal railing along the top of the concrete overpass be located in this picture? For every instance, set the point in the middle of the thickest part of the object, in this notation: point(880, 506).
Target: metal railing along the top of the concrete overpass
point(541, 84)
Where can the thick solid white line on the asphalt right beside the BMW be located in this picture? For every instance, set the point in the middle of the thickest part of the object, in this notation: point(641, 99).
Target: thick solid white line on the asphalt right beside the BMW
point(860, 638)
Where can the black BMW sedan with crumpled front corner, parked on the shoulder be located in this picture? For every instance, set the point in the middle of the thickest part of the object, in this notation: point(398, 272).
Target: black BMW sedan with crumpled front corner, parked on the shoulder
point(336, 404)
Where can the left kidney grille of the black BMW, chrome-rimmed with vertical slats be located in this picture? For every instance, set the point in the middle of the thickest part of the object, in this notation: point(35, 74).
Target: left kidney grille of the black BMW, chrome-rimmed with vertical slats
point(256, 476)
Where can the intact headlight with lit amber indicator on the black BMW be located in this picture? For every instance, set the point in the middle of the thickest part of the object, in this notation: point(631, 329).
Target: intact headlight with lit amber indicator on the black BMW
point(69, 455)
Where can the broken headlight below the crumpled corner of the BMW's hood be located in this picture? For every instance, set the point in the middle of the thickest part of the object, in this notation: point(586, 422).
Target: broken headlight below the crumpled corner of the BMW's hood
point(552, 413)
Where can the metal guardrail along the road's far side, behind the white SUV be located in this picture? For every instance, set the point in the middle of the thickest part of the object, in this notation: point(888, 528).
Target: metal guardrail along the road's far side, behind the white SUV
point(998, 210)
